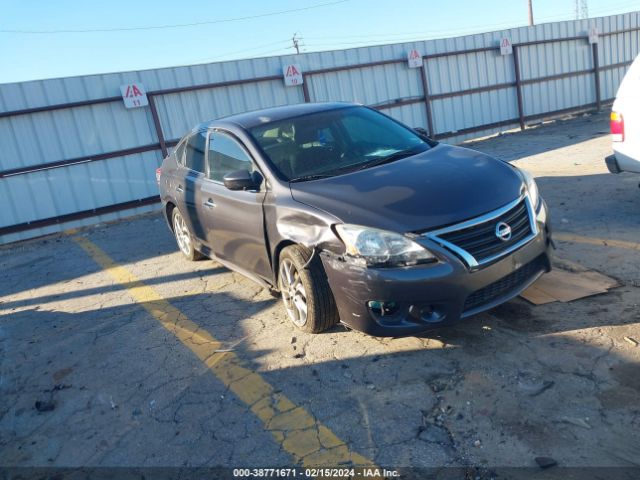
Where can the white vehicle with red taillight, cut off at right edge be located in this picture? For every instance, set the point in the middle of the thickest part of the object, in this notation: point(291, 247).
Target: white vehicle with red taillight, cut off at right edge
point(625, 124)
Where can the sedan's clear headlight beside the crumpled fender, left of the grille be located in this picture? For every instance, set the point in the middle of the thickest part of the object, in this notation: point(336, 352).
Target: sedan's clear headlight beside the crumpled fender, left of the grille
point(380, 248)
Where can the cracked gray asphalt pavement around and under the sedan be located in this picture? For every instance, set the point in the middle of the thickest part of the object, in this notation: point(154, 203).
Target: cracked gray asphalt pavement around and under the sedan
point(499, 389)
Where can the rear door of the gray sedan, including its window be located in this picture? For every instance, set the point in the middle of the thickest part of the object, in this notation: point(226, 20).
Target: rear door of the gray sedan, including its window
point(191, 176)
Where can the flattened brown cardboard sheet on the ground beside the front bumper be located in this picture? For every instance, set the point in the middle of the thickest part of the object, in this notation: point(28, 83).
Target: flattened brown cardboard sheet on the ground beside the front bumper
point(563, 286)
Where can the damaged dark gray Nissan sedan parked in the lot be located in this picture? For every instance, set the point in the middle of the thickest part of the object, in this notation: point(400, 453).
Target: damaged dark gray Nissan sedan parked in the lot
point(354, 217)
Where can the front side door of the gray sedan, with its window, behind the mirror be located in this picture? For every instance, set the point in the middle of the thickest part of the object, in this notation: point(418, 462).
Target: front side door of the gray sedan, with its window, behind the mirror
point(234, 219)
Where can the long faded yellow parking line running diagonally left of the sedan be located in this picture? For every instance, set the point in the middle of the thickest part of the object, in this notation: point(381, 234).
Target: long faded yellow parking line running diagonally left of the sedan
point(297, 431)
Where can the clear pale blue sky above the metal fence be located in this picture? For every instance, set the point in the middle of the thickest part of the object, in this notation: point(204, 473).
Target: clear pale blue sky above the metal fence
point(58, 38)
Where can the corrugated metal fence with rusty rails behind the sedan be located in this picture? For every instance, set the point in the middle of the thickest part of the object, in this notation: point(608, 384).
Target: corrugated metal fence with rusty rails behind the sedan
point(73, 155)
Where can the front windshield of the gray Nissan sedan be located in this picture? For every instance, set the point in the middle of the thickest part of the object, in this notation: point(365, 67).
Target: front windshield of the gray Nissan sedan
point(335, 142)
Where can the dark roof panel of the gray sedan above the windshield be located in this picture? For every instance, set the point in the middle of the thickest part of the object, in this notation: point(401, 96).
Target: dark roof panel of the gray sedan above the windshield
point(257, 117)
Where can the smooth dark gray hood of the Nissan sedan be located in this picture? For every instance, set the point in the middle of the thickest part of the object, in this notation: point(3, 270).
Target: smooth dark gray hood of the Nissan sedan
point(441, 186)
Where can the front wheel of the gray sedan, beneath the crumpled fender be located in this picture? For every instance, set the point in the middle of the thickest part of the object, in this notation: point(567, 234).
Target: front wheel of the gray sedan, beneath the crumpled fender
point(306, 294)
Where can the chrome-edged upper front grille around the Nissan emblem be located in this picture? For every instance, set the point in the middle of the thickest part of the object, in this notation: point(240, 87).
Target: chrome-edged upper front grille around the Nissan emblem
point(480, 241)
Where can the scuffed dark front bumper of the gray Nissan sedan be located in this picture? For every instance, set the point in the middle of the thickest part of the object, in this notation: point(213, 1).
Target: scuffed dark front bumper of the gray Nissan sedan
point(422, 297)
